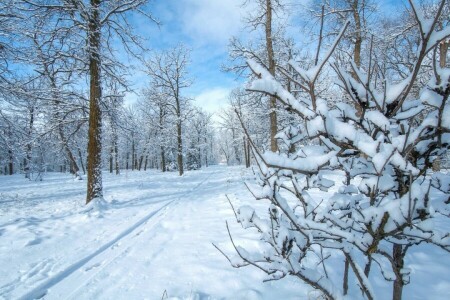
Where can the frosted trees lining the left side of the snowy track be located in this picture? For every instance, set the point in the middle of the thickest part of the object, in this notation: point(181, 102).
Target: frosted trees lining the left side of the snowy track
point(62, 82)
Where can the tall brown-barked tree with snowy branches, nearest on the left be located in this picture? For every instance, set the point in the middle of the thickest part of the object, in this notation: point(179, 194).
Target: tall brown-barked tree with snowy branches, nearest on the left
point(79, 19)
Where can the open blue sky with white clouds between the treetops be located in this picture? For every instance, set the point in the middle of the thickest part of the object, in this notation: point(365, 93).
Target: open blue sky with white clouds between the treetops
point(205, 26)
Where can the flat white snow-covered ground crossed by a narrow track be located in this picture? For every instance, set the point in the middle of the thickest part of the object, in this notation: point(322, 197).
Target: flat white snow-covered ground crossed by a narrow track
point(152, 240)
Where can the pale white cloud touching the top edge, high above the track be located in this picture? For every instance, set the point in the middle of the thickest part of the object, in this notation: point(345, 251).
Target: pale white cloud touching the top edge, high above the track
point(208, 21)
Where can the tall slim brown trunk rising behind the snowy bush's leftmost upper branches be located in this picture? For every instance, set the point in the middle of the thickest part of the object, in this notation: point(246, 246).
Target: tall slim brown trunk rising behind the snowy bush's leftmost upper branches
point(271, 59)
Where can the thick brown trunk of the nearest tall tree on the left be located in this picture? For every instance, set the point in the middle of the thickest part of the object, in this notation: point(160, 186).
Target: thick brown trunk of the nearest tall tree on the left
point(94, 165)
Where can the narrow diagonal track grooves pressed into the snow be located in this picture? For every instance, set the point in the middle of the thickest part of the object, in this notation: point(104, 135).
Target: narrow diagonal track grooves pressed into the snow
point(42, 290)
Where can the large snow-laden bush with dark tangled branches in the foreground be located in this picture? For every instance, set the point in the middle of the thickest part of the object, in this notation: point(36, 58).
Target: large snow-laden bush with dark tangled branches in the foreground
point(381, 141)
